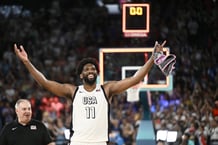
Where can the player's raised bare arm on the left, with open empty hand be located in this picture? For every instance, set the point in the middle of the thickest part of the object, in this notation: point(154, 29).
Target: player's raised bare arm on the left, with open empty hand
point(52, 86)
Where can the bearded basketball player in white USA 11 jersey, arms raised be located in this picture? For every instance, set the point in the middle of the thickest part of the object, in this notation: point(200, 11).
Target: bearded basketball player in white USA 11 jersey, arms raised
point(90, 101)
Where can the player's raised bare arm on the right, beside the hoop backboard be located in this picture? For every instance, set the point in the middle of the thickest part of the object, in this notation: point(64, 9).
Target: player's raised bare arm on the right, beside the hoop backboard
point(115, 87)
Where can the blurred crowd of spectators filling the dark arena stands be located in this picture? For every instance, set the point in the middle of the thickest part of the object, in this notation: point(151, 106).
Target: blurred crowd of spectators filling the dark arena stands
point(57, 37)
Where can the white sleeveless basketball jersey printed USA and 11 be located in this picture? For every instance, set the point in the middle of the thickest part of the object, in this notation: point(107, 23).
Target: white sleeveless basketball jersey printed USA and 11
point(90, 115)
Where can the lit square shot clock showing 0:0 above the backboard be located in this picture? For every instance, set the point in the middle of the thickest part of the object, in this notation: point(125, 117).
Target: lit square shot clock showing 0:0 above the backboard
point(135, 20)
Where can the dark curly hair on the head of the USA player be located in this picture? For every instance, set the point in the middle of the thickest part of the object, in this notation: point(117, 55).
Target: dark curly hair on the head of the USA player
point(85, 61)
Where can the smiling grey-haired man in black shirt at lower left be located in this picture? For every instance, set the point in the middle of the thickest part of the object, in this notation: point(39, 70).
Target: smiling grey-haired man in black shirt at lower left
point(25, 130)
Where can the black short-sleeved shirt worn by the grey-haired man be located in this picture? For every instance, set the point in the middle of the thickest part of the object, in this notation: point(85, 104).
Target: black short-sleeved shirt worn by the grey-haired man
point(34, 133)
